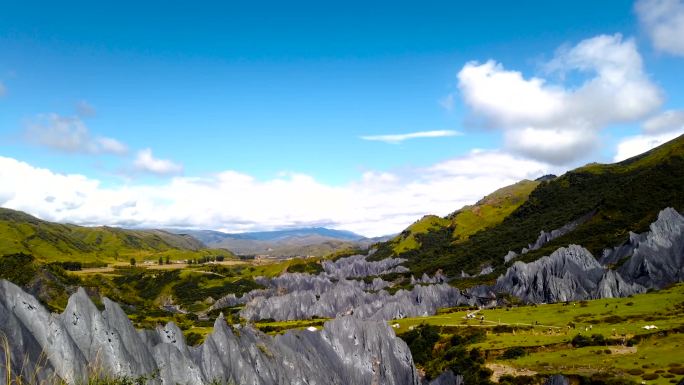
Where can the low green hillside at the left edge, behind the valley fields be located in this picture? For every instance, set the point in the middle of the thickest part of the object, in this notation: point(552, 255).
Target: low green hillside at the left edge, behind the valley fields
point(48, 242)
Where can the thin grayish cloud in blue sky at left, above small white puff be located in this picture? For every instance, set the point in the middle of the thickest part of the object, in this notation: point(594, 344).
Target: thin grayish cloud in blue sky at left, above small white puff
point(69, 134)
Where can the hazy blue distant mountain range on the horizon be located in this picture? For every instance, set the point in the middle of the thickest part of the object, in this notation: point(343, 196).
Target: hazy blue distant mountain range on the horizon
point(316, 241)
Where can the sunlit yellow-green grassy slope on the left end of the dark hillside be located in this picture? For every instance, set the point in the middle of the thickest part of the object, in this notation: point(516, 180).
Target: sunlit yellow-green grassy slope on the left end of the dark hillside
point(467, 221)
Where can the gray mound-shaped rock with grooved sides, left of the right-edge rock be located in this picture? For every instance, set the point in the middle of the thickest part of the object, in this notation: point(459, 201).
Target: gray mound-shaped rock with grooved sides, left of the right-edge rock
point(568, 274)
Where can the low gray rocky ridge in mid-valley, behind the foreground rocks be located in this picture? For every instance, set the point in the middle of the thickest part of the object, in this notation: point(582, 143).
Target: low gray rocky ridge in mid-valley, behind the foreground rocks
point(339, 291)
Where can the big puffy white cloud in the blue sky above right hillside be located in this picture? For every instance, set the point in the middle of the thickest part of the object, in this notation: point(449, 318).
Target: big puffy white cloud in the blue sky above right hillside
point(559, 123)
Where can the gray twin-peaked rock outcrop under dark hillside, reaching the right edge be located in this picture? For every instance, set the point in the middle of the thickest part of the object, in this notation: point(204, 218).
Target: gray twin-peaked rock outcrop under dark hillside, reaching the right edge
point(650, 260)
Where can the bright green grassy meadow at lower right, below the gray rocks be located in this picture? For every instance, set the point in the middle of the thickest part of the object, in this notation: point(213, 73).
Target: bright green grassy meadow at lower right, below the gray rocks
point(548, 344)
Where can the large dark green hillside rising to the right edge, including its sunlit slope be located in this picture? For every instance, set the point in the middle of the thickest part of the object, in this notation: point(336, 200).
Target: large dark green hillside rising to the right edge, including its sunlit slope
point(625, 197)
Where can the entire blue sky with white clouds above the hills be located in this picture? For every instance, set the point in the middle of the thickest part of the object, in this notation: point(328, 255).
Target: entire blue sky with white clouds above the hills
point(156, 95)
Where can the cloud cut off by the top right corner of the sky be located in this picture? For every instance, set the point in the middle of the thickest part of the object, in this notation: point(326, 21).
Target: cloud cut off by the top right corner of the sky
point(663, 21)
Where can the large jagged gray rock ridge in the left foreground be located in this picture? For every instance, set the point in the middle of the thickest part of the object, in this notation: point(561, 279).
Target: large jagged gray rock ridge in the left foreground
point(82, 341)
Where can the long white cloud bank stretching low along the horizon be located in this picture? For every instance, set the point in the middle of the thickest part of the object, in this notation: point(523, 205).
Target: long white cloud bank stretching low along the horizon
point(376, 203)
